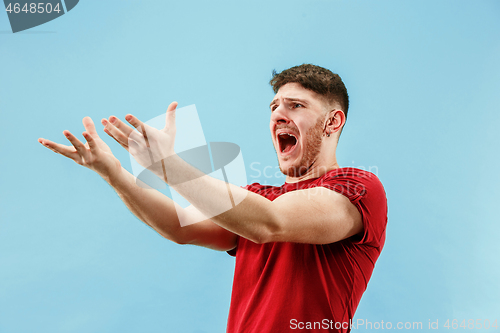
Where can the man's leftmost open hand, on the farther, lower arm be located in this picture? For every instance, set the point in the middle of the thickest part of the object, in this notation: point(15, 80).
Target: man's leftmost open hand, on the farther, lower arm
point(95, 154)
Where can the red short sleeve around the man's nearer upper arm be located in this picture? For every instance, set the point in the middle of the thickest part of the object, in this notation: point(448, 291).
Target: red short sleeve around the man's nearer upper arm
point(365, 191)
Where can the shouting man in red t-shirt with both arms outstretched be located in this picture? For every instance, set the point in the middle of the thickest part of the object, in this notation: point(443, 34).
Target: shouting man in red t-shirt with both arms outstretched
point(304, 251)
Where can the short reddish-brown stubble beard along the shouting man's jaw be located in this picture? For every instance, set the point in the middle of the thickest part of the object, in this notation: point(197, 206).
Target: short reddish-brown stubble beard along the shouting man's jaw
point(312, 148)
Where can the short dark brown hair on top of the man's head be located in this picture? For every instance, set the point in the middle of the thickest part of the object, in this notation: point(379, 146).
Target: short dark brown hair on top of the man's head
point(318, 79)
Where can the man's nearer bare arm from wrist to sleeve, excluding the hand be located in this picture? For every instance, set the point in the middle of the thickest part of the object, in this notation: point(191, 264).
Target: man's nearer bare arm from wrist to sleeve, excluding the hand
point(314, 216)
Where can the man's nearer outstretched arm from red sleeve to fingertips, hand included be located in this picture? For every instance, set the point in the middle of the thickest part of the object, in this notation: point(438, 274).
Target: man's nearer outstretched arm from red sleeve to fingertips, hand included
point(314, 216)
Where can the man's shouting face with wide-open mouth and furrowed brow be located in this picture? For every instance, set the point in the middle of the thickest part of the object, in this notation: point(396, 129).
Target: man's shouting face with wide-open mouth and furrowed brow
point(297, 126)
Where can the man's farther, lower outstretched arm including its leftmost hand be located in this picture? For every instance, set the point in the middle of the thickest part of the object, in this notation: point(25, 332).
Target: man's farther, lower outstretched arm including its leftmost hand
point(150, 206)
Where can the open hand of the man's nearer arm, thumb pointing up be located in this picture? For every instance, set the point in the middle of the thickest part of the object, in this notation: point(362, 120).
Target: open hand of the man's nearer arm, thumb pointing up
point(148, 145)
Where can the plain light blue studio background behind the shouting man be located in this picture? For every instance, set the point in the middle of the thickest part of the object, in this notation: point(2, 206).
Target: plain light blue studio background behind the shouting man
point(423, 79)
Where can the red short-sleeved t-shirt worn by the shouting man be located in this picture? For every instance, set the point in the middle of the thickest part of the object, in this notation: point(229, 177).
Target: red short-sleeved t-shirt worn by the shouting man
point(290, 287)
